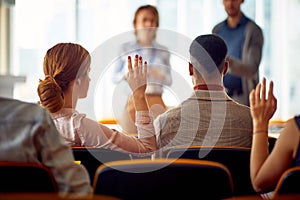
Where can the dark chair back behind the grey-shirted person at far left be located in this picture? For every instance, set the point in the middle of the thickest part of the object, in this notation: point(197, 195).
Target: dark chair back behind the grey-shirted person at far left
point(22, 177)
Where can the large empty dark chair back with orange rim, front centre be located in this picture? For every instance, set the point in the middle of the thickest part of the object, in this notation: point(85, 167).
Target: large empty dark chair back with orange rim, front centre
point(163, 179)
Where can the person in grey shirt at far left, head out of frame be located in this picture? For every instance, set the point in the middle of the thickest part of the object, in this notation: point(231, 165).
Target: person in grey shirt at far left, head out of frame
point(27, 134)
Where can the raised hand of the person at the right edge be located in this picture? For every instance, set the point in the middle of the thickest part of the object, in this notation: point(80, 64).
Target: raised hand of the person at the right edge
point(262, 107)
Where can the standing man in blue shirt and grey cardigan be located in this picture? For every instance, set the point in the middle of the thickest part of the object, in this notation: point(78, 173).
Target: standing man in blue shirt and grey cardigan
point(244, 39)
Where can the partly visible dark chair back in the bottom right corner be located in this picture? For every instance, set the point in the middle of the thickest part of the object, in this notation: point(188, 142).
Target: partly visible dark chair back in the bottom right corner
point(289, 182)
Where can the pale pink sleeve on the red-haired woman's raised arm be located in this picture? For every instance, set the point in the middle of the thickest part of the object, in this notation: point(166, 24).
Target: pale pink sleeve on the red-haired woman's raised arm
point(95, 134)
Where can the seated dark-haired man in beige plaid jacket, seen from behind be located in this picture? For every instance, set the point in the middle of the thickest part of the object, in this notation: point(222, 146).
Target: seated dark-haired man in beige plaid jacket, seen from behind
point(209, 117)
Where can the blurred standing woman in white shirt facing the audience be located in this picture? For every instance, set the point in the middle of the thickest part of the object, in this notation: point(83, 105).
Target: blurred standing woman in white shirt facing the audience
point(145, 22)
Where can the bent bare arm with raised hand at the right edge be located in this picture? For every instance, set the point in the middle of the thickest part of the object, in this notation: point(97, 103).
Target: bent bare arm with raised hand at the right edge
point(266, 168)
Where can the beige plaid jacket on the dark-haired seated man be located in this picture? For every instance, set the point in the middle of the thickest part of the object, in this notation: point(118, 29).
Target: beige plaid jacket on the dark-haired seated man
point(207, 118)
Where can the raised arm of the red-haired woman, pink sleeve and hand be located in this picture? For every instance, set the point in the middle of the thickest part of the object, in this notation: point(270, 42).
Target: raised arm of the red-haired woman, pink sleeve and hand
point(146, 141)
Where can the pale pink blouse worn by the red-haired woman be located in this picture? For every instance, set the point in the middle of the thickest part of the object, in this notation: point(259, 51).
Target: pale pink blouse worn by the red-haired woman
point(78, 130)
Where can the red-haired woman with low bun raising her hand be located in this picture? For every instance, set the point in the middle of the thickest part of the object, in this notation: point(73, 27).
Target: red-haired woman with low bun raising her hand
point(66, 69)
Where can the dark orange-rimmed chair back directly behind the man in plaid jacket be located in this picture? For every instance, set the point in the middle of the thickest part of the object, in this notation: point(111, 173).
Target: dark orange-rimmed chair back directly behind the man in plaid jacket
point(236, 159)
